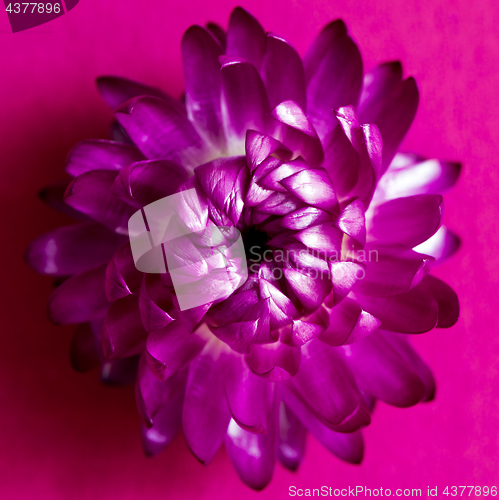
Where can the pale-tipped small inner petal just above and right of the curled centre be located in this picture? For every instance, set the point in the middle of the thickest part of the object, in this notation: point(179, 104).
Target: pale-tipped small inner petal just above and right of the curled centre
point(297, 133)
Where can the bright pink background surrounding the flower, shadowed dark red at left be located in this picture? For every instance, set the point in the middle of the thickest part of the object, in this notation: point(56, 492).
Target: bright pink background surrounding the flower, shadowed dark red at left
point(62, 435)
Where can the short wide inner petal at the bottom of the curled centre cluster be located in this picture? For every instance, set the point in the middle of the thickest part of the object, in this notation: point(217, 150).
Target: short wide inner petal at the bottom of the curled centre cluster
point(275, 362)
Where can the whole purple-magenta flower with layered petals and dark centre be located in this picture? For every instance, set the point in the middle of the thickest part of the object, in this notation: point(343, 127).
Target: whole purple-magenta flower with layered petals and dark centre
point(299, 160)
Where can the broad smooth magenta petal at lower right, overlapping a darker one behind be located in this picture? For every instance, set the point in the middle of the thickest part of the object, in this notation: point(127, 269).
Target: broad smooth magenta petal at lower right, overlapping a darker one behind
point(380, 370)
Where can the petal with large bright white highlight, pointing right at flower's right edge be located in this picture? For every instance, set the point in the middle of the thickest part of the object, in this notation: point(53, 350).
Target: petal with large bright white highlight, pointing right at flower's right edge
point(422, 177)
